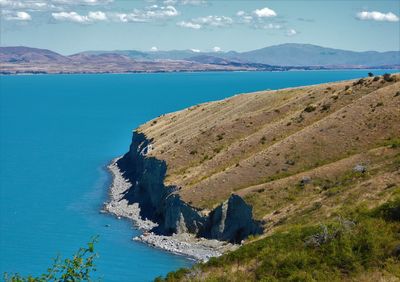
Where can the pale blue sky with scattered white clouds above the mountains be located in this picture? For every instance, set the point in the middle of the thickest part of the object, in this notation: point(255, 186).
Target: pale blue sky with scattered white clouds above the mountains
point(71, 26)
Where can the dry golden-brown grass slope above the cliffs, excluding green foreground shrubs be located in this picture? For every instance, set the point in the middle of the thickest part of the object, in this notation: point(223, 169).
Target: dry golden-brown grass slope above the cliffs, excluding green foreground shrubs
point(260, 145)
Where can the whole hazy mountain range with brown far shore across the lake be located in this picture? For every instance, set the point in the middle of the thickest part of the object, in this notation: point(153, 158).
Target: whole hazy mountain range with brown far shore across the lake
point(21, 59)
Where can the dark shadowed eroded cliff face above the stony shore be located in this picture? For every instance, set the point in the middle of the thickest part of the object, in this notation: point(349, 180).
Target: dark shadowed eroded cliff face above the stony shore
point(231, 221)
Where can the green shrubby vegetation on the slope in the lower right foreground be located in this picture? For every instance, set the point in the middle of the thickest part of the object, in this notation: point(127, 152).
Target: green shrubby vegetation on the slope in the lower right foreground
point(335, 251)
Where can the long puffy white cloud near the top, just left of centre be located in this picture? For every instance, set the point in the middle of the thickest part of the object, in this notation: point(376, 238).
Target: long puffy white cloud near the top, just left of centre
point(146, 15)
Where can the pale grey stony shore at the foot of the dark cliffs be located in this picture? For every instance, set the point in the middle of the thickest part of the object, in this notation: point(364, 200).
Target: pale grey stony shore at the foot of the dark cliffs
point(183, 244)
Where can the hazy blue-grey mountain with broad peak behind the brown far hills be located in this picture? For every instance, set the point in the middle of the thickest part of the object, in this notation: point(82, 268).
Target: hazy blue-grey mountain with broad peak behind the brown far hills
point(291, 54)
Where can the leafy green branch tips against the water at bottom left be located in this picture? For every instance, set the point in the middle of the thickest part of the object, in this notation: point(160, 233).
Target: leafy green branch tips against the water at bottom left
point(77, 268)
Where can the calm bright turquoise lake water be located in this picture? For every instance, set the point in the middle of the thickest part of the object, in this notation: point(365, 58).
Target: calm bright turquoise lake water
point(57, 134)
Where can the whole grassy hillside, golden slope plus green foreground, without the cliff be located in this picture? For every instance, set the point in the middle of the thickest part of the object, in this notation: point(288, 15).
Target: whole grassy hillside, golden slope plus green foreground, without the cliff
point(302, 156)
